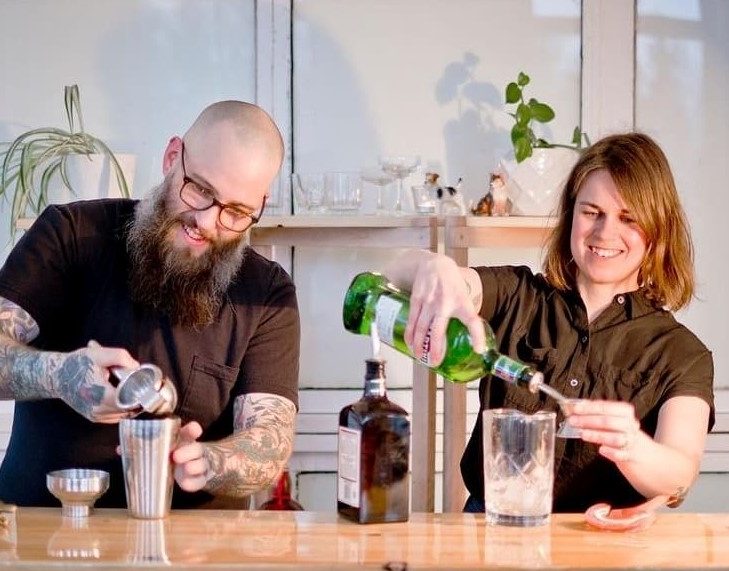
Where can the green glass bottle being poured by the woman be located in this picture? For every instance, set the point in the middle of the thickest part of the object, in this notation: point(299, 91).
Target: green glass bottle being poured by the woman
point(372, 299)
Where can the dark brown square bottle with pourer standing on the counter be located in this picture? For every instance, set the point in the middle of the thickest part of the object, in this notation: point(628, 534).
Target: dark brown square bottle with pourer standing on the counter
point(373, 454)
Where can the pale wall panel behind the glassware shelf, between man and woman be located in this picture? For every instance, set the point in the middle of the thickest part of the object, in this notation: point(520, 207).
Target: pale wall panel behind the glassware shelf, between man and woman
point(416, 78)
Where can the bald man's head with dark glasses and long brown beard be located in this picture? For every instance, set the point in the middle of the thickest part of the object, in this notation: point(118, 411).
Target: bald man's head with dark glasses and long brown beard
point(183, 258)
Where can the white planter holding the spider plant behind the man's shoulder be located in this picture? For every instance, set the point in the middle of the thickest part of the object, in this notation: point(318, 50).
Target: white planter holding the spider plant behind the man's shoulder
point(93, 177)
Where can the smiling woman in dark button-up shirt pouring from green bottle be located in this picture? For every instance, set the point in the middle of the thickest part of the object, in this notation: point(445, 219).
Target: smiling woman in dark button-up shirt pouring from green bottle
point(596, 325)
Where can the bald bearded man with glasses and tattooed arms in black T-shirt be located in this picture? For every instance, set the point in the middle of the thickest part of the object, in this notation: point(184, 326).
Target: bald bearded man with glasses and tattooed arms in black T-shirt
point(167, 280)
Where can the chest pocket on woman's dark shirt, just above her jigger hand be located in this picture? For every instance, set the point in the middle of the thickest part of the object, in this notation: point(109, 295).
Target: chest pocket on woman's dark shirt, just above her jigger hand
point(614, 383)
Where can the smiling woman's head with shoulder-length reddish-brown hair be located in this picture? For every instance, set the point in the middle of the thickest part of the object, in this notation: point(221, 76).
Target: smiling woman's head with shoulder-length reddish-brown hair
point(631, 176)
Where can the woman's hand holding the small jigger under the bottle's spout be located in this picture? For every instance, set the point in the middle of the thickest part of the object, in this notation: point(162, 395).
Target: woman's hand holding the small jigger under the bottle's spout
point(610, 424)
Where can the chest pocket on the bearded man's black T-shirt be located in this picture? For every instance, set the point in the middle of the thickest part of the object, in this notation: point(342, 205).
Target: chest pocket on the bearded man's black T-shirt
point(207, 391)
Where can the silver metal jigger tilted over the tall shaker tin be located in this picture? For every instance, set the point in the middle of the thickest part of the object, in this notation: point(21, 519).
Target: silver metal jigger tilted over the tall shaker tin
point(145, 387)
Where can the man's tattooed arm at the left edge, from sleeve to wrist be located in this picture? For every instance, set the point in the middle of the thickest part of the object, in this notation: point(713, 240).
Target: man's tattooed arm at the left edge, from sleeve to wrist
point(29, 374)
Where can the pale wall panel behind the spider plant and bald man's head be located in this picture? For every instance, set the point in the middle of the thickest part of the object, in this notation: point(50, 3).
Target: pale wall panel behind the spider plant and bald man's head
point(144, 69)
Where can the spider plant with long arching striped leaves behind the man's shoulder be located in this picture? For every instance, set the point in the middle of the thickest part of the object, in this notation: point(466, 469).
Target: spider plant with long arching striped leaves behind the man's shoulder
point(36, 157)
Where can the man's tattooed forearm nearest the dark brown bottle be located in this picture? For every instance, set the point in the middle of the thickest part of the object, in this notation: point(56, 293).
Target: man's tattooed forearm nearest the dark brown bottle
point(261, 444)
